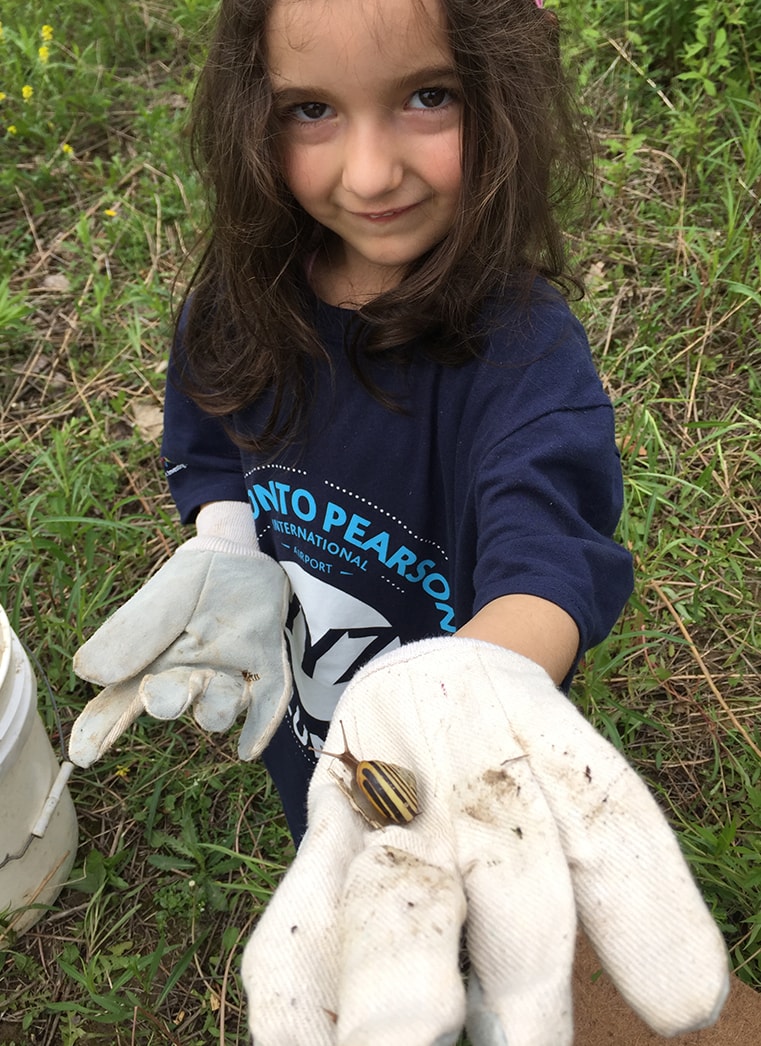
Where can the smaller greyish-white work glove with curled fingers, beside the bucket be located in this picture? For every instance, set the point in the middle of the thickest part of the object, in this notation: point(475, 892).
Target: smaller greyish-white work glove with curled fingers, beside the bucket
point(205, 633)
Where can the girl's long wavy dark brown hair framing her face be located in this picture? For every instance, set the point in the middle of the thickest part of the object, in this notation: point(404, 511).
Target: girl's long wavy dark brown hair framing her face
point(525, 160)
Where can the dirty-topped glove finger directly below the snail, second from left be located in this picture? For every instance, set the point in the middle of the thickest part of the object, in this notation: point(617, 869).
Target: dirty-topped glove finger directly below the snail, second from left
point(401, 922)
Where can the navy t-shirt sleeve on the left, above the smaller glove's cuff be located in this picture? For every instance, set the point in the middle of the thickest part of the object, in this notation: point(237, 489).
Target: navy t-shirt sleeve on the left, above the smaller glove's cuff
point(201, 462)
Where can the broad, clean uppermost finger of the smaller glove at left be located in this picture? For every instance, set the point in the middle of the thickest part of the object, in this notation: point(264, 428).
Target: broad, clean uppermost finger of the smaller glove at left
point(149, 623)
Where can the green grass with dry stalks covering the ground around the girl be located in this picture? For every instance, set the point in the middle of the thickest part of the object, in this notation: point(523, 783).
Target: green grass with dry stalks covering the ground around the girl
point(180, 845)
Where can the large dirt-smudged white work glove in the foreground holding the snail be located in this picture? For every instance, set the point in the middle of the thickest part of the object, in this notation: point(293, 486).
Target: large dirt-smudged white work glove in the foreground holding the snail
point(528, 818)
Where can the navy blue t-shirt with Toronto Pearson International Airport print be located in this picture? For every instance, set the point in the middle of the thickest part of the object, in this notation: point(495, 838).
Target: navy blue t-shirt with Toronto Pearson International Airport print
point(494, 477)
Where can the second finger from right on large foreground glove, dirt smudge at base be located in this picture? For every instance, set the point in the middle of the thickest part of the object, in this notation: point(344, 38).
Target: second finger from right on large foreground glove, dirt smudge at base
point(521, 915)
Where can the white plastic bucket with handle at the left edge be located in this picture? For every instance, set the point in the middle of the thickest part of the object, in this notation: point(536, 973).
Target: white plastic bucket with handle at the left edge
point(38, 823)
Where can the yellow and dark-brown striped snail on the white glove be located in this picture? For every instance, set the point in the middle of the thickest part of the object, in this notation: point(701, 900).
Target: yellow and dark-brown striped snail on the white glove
point(382, 793)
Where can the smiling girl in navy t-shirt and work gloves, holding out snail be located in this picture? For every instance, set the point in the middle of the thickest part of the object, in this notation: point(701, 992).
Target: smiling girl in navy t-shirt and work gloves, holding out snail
point(388, 428)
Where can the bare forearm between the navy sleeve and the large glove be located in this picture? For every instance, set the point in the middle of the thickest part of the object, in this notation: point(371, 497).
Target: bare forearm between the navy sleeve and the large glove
point(531, 626)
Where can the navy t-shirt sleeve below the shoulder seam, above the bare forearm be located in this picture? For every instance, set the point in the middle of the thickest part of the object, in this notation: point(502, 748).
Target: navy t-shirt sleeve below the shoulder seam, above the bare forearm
point(549, 501)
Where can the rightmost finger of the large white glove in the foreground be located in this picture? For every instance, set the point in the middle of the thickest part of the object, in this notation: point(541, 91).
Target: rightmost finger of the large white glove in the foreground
point(636, 897)
